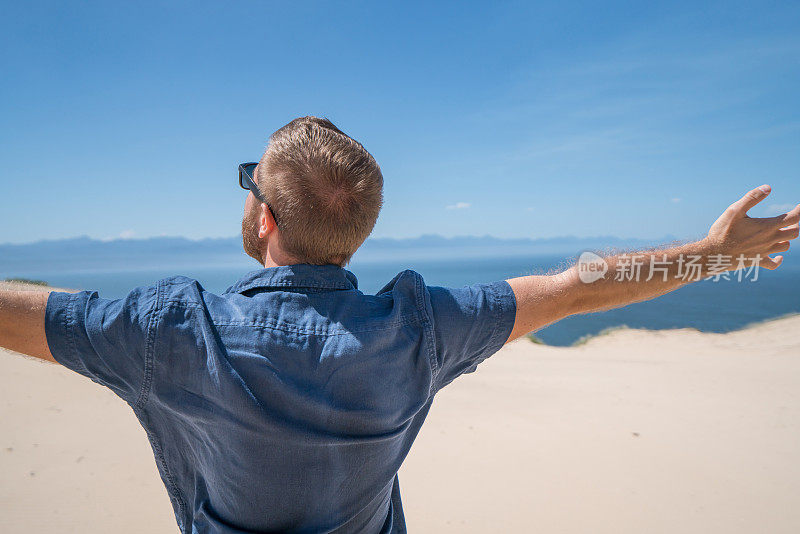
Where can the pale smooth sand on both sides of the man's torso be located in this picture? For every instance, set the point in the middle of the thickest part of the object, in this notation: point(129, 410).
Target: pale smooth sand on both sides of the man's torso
point(636, 431)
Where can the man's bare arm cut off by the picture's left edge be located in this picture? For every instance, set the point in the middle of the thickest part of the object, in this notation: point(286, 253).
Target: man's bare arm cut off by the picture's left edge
point(22, 323)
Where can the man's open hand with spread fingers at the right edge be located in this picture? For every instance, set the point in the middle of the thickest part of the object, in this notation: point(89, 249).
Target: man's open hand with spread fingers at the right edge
point(736, 234)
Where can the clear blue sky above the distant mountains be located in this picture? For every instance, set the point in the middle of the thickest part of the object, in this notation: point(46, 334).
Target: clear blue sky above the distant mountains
point(515, 120)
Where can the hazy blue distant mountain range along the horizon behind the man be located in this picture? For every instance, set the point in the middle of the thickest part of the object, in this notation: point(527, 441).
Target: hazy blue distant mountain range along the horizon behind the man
point(156, 252)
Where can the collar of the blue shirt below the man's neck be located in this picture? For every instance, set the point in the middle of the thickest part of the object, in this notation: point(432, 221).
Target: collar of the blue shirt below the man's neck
point(297, 275)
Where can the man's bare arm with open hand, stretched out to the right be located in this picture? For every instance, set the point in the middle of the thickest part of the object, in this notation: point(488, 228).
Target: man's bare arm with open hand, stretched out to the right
point(543, 299)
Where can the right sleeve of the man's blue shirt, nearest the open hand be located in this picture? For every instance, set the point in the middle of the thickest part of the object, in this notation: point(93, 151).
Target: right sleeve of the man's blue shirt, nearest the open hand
point(470, 324)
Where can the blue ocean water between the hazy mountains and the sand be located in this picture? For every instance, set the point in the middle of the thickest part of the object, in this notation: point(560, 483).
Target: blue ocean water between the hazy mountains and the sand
point(707, 306)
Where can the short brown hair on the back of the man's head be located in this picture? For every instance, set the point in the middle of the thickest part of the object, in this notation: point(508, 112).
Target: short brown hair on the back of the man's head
point(325, 188)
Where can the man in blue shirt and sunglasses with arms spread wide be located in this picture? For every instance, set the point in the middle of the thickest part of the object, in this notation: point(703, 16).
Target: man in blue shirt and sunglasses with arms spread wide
point(289, 402)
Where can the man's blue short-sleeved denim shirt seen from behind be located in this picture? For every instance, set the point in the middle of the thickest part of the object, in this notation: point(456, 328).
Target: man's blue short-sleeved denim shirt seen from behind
point(288, 402)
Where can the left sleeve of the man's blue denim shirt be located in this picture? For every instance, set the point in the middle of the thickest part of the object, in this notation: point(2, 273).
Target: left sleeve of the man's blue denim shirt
point(103, 339)
